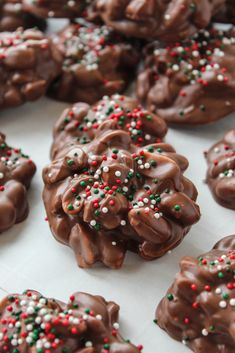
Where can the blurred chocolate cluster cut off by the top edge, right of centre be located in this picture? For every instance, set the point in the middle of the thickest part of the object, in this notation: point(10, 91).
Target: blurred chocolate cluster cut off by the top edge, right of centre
point(157, 19)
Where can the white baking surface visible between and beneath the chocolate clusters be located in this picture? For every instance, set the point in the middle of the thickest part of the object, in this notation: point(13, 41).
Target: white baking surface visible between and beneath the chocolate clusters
point(31, 258)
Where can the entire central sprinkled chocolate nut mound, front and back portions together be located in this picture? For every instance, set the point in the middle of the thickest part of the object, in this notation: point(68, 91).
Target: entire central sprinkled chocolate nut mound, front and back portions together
point(108, 192)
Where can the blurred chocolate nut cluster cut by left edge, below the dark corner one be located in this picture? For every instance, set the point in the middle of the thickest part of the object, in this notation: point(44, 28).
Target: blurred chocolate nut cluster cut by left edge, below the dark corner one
point(28, 63)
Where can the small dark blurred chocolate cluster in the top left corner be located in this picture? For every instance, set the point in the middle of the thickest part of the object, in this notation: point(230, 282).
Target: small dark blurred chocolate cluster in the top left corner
point(12, 17)
